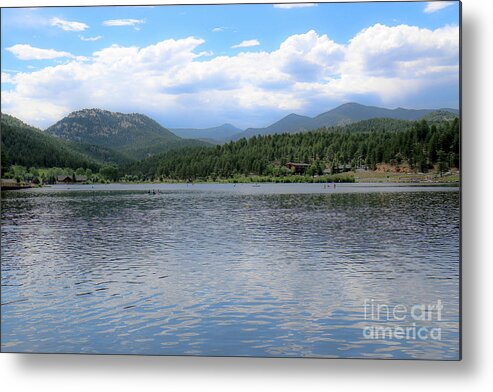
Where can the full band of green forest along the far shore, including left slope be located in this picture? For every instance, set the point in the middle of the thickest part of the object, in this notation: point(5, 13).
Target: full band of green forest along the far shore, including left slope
point(423, 146)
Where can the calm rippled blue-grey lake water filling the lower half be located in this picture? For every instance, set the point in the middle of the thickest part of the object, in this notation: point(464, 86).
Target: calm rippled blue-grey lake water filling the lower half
point(269, 270)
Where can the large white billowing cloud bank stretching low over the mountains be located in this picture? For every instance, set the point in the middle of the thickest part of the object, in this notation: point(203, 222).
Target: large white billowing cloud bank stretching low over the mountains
point(307, 73)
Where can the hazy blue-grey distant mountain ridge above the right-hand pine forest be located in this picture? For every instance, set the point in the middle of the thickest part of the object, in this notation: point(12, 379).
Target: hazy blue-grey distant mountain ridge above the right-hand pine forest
point(347, 113)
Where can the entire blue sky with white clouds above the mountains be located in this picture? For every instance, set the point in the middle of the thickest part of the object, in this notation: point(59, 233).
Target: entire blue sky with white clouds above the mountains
point(248, 65)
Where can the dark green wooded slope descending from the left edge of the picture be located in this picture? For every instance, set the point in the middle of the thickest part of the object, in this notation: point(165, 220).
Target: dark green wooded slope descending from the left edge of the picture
point(27, 146)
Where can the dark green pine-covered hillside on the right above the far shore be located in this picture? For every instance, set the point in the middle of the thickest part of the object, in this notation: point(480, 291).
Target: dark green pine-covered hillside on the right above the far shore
point(364, 144)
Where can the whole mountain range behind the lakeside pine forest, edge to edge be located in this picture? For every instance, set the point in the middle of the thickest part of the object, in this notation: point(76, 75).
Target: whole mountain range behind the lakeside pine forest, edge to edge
point(91, 137)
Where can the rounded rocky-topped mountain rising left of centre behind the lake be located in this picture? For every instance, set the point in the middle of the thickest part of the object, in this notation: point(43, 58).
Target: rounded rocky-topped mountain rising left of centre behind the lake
point(134, 136)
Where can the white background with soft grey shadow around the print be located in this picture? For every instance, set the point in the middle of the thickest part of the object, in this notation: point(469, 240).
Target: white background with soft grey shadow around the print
point(111, 373)
